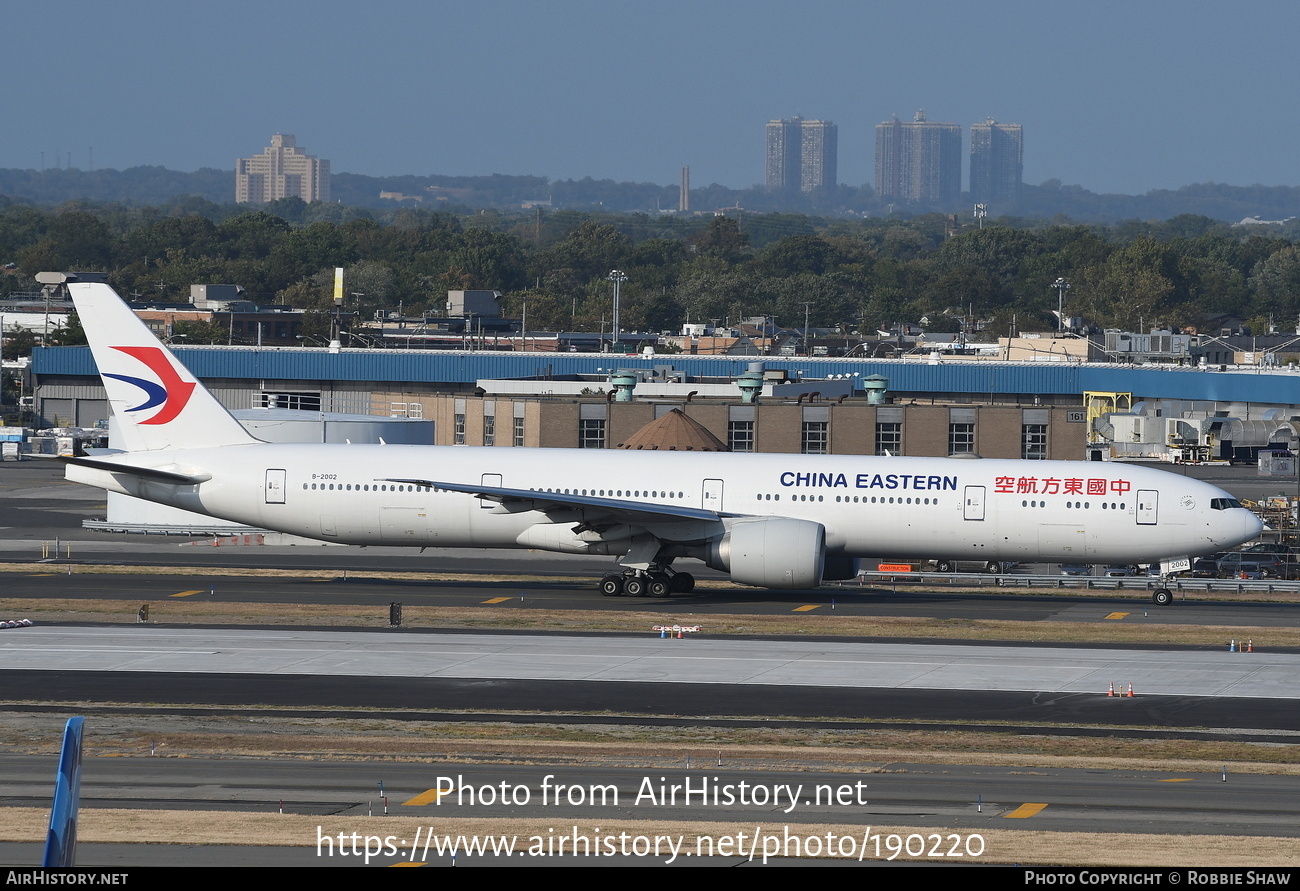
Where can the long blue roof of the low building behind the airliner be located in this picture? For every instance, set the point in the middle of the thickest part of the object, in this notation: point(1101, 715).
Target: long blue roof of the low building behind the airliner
point(905, 375)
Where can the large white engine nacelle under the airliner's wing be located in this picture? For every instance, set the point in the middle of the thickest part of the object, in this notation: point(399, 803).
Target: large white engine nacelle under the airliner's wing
point(772, 553)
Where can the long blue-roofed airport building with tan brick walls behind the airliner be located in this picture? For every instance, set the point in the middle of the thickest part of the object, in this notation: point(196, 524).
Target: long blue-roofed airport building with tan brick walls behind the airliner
point(929, 406)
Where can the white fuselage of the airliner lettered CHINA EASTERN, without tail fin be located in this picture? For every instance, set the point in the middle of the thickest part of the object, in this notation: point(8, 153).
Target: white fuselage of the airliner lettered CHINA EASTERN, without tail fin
point(978, 509)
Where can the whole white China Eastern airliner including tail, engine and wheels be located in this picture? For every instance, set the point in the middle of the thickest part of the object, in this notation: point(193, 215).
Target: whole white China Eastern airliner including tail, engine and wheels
point(773, 521)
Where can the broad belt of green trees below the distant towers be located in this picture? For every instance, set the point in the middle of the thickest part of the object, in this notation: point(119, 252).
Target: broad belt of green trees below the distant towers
point(855, 275)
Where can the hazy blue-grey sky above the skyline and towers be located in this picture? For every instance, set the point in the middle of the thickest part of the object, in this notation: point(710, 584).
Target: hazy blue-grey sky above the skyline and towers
point(1115, 97)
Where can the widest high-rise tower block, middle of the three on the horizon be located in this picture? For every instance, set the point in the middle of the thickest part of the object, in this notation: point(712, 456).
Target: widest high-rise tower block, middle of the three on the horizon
point(920, 162)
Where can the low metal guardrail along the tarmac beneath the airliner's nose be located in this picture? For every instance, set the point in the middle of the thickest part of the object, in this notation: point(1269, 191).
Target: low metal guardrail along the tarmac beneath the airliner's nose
point(1087, 582)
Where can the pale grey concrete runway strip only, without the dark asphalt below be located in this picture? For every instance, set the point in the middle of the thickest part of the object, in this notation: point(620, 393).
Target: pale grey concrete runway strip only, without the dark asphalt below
point(649, 659)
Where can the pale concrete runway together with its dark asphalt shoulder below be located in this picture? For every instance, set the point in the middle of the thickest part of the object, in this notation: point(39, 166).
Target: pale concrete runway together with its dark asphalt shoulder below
point(619, 680)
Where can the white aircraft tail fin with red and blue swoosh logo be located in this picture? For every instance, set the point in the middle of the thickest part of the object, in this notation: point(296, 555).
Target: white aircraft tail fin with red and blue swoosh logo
point(157, 403)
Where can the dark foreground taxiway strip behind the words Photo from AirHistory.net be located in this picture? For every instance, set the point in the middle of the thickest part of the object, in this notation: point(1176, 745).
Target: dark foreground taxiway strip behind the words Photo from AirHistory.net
point(895, 793)
